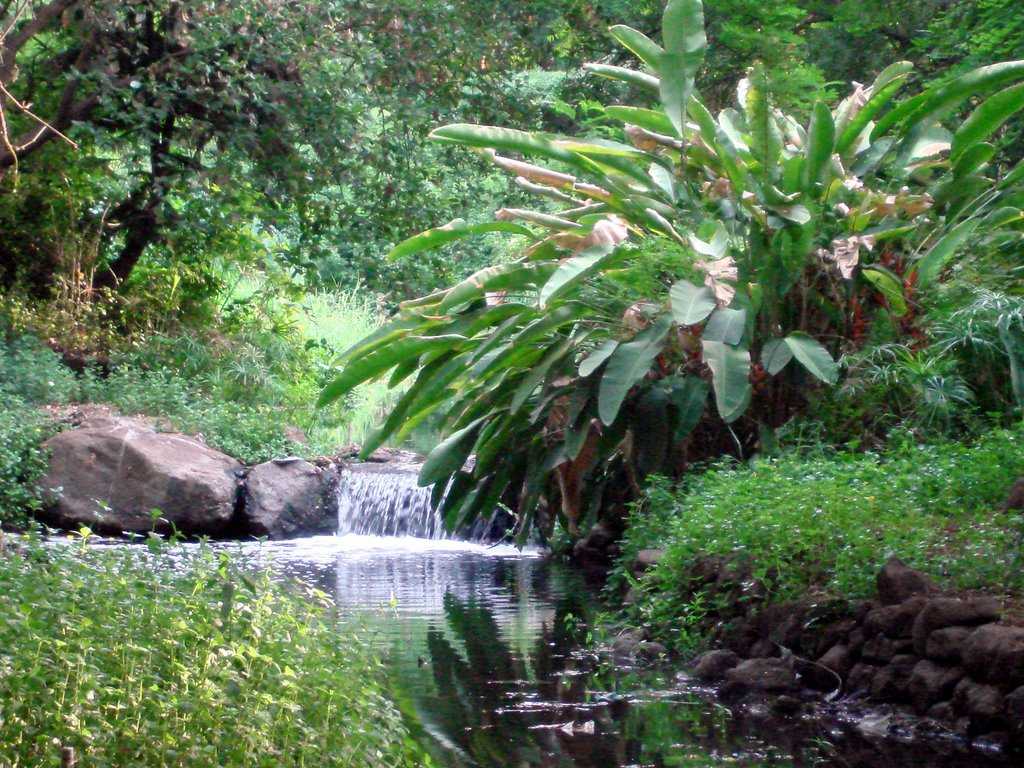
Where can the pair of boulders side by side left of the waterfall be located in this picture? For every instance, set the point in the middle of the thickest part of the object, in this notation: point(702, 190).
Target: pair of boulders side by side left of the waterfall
point(118, 476)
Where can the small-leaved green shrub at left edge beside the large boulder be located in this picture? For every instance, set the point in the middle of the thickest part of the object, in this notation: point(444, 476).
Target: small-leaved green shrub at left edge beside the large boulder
point(23, 461)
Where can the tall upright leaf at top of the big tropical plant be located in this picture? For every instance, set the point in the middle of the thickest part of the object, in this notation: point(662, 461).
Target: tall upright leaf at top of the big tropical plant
point(686, 41)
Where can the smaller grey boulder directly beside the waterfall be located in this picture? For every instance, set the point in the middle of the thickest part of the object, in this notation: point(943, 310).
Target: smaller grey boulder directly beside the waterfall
point(287, 498)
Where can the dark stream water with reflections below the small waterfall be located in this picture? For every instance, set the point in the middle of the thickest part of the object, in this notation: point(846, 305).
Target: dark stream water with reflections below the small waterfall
point(485, 648)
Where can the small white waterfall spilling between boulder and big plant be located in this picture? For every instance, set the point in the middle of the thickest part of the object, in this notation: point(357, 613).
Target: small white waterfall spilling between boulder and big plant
point(385, 500)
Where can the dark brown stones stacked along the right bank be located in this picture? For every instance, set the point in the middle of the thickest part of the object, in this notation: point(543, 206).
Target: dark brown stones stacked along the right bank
point(949, 658)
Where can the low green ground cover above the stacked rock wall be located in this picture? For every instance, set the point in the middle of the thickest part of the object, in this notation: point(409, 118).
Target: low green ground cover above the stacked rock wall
point(825, 524)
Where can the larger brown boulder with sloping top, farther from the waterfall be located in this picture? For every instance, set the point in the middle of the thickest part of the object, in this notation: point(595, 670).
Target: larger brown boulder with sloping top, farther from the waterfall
point(111, 475)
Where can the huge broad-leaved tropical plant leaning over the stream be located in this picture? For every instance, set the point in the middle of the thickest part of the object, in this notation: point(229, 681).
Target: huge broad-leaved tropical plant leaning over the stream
point(792, 234)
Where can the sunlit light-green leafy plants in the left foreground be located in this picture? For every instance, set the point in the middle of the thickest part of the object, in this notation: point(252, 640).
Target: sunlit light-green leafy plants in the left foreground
point(191, 664)
